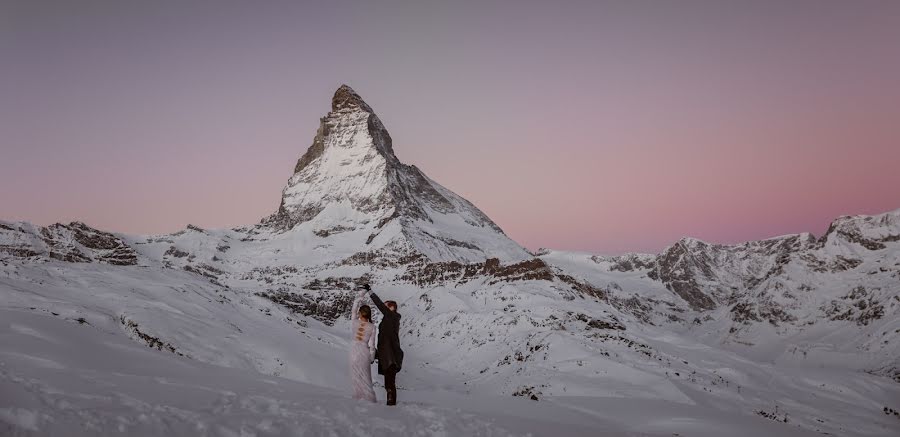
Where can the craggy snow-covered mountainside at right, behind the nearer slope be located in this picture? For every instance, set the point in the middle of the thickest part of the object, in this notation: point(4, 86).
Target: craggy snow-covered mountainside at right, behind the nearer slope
point(787, 299)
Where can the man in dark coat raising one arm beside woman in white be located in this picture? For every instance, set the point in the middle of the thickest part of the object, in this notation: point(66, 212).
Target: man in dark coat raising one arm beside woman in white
point(390, 356)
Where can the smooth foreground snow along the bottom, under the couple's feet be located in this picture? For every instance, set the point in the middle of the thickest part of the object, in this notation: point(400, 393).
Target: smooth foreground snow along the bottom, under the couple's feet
point(61, 377)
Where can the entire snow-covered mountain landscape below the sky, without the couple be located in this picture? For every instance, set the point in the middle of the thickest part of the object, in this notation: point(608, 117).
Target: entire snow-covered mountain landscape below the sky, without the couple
point(792, 335)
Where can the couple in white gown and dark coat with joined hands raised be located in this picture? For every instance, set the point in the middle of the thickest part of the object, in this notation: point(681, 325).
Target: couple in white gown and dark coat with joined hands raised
point(363, 349)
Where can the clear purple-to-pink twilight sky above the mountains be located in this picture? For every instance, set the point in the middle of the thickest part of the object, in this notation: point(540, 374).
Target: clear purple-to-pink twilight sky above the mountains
point(594, 126)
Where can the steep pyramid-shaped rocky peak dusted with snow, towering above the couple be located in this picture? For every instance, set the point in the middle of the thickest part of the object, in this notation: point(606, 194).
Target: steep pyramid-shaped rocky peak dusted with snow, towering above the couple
point(351, 168)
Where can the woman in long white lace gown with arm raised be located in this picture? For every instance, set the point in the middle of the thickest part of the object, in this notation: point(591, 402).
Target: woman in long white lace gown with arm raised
point(362, 349)
